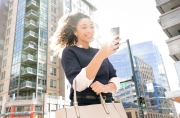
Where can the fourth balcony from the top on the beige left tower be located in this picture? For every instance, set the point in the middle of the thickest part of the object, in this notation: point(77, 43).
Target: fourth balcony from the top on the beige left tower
point(30, 35)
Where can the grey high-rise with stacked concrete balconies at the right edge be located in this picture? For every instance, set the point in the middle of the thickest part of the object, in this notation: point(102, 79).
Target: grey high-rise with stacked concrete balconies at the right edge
point(170, 23)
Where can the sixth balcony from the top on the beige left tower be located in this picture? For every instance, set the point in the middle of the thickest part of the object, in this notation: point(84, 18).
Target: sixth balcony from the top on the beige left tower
point(29, 59)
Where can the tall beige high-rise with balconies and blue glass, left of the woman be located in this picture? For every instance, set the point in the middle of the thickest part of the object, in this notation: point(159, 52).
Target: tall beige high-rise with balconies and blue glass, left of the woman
point(29, 68)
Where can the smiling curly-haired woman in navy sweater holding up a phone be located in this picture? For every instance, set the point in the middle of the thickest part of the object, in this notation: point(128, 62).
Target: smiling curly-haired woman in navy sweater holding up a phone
point(90, 67)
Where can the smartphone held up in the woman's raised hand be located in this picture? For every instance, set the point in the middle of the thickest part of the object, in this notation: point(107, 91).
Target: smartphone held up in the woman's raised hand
point(115, 34)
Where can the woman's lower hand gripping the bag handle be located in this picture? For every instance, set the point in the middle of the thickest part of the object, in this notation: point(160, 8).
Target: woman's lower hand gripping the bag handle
point(98, 88)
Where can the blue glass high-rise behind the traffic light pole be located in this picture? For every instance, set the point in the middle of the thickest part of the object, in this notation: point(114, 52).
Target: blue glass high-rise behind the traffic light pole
point(150, 54)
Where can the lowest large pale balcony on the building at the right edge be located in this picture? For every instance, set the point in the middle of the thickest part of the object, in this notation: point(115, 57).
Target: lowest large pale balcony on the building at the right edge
point(174, 47)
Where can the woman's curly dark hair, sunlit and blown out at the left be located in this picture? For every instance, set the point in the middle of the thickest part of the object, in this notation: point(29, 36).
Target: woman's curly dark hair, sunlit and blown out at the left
point(64, 34)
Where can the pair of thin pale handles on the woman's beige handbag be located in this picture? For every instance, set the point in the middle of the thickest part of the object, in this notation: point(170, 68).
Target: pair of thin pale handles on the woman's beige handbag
point(76, 103)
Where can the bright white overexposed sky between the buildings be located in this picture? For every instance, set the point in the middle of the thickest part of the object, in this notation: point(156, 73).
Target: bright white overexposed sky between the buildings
point(138, 21)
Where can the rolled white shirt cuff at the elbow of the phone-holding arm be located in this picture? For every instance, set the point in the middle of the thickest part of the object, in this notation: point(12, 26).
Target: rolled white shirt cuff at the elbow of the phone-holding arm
point(82, 82)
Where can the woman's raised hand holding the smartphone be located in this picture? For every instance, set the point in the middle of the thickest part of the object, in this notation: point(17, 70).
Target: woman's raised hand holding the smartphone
point(109, 48)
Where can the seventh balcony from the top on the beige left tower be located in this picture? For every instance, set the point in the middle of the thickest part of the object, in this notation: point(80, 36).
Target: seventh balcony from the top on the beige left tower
point(29, 72)
